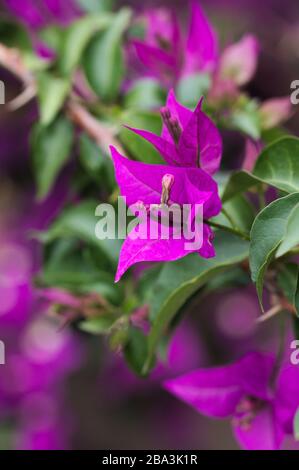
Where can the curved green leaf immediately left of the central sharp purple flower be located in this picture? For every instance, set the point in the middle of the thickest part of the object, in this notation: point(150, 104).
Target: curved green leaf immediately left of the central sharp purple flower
point(80, 221)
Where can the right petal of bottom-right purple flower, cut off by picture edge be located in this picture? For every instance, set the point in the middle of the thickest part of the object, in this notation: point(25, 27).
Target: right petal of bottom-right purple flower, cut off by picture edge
point(287, 396)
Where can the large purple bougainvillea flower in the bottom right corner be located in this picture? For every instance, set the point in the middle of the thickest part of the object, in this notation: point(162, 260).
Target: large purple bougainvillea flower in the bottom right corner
point(261, 414)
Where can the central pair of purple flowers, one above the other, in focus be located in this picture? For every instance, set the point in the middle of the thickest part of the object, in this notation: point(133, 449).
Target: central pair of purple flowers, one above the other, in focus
point(191, 146)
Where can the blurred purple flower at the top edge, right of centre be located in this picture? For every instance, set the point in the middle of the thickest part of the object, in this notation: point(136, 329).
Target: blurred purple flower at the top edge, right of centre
point(165, 52)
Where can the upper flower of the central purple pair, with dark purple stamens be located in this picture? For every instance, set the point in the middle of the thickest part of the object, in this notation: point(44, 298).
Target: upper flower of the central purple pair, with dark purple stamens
point(189, 138)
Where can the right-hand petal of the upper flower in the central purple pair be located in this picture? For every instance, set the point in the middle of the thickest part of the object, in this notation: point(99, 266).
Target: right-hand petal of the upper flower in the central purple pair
point(200, 143)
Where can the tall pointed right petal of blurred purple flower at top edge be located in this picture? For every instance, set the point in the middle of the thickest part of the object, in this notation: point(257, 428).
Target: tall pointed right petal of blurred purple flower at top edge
point(202, 47)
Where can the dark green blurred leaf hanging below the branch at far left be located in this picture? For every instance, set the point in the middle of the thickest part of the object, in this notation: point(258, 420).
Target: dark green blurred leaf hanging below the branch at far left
point(51, 148)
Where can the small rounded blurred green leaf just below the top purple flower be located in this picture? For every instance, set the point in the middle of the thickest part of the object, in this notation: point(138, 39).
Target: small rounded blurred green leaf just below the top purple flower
point(145, 93)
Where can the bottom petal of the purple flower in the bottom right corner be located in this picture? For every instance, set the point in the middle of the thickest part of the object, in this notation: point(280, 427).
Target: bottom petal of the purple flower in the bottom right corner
point(263, 433)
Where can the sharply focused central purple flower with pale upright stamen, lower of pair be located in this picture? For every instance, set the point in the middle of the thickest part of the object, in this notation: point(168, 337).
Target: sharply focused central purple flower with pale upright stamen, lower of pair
point(146, 185)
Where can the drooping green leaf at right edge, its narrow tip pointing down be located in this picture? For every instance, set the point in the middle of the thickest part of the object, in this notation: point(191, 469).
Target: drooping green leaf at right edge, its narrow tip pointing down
point(267, 233)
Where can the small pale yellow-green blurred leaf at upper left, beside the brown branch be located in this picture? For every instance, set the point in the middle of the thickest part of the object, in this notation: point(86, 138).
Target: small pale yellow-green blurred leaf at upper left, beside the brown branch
point(52, 93)
